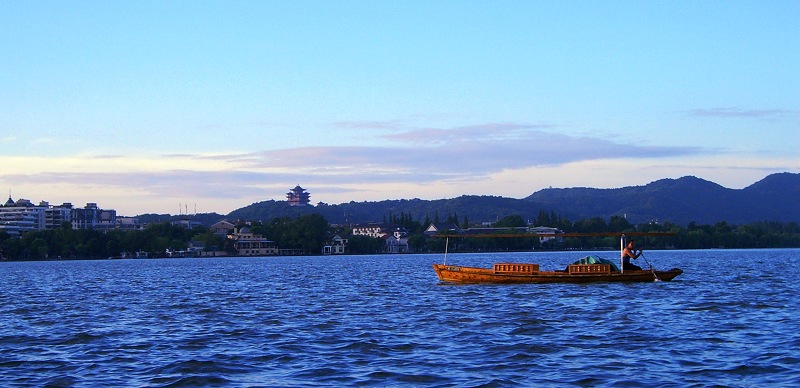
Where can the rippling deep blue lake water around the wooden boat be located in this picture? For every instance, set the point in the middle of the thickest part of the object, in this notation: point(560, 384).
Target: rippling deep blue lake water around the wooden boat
point(730, 320)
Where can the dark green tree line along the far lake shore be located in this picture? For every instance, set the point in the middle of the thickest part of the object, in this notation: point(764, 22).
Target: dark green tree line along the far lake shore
point(308, 234)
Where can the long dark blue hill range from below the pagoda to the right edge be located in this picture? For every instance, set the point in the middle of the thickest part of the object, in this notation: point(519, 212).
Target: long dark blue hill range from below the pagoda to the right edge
point(680, 201)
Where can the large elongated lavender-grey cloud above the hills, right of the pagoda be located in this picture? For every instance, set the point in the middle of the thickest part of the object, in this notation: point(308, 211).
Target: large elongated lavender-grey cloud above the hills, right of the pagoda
point(438, 152)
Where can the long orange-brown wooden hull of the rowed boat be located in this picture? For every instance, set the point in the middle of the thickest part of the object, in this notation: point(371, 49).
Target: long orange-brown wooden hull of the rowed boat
point(461, 274)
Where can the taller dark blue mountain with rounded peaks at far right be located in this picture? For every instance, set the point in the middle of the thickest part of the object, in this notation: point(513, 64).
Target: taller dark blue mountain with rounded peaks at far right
point(683, 200)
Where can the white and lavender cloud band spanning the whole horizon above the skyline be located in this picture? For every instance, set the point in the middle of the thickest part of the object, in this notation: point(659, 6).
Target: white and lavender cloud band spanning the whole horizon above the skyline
point(507, 160)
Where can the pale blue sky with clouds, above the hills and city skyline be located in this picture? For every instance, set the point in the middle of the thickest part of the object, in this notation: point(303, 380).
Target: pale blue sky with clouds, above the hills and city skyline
point(210, 106)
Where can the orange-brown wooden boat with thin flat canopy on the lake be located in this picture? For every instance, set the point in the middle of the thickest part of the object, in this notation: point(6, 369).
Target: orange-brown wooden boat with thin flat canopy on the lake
point(530, 273)
